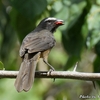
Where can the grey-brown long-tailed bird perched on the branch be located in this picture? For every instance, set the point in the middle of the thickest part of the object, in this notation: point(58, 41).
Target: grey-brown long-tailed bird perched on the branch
point(37, 44)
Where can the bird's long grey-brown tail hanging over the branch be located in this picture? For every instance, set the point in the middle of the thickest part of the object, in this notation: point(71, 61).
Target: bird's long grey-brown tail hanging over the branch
point(26, 73)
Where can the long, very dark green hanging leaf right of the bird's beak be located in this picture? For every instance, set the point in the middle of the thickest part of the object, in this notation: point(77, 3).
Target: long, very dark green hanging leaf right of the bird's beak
point(73, 39)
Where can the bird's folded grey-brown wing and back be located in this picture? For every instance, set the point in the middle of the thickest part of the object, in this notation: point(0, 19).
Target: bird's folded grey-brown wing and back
point(37, 42)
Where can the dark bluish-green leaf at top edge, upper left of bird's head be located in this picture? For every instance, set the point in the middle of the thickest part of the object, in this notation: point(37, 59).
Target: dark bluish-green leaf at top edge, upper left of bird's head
point(29, 8)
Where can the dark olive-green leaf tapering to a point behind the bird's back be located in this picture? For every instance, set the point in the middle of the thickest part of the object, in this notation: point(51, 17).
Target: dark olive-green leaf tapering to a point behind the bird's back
point(22, 24)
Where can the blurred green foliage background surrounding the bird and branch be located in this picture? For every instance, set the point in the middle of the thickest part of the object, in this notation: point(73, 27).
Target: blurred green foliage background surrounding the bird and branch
point(77, 40)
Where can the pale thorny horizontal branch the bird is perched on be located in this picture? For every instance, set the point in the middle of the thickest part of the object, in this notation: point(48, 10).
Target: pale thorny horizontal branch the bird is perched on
point(56, 74)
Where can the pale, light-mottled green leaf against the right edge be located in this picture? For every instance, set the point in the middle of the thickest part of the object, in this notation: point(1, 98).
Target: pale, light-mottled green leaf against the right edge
point(93, 27)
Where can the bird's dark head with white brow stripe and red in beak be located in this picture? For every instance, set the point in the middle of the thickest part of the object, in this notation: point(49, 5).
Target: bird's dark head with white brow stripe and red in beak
point(50, 23)
